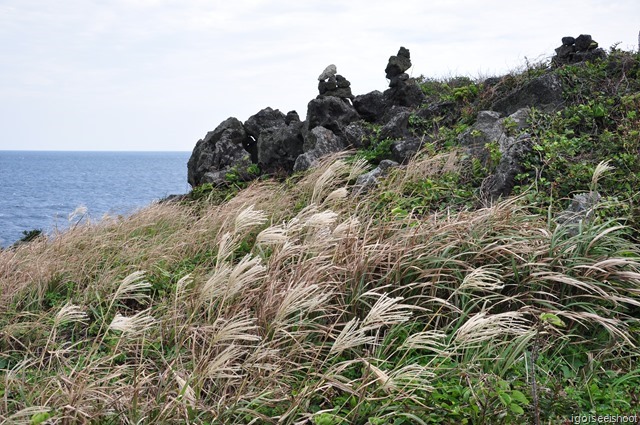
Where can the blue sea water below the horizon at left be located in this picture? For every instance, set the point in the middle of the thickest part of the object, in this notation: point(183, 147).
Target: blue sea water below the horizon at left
point(39, 190)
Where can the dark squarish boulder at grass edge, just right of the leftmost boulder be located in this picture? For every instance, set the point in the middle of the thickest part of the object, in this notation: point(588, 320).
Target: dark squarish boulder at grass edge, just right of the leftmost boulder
point(278, 147)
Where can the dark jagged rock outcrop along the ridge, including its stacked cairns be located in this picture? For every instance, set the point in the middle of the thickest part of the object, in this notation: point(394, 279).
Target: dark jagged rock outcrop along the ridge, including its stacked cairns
point(336, 120)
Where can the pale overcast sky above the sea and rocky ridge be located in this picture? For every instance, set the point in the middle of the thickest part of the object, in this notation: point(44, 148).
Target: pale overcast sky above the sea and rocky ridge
point(156, 75)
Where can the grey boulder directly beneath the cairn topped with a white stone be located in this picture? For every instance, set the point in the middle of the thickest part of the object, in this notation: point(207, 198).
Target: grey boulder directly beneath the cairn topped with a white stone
point(331, 113)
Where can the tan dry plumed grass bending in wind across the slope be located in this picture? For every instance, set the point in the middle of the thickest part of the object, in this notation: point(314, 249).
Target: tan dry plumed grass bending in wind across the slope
point(280, 305)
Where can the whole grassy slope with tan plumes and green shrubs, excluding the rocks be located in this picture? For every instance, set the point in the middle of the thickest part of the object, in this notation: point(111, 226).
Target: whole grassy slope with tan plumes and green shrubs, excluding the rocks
point(293, 302)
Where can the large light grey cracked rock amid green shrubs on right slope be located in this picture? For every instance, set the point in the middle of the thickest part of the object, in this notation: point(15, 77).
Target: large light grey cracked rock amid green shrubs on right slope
point(490, 128)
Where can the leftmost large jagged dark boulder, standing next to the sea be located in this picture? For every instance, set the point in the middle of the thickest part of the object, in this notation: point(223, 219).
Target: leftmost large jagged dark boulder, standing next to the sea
point(220, 150)
